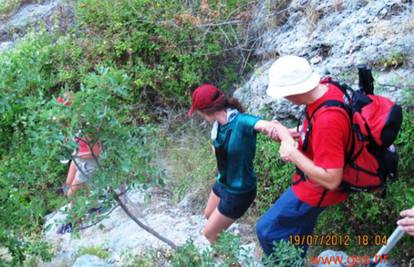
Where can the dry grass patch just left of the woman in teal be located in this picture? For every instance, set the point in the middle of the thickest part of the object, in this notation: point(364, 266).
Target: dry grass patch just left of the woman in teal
point(188, 160)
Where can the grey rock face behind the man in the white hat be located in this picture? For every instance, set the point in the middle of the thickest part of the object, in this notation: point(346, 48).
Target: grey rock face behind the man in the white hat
point(334, 36)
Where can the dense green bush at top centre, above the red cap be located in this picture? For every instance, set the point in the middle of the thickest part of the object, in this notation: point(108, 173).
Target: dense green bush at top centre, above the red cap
point(162, 44)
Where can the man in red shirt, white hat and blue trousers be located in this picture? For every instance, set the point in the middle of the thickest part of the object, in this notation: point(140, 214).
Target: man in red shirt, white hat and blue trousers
point(319, 156)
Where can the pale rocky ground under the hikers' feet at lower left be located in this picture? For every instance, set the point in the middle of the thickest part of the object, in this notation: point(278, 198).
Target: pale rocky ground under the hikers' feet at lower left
point(121, 238)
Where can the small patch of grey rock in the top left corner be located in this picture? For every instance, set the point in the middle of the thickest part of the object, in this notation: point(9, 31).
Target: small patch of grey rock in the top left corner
point(54, 14)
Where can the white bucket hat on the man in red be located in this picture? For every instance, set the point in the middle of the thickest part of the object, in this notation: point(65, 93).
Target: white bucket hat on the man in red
point(291, 75)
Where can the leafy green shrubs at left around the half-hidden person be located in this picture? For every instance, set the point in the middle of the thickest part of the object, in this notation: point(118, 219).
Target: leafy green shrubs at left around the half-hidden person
point(40, 132)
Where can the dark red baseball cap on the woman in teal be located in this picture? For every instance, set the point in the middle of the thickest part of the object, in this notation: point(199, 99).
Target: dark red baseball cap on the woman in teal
point(205, 96)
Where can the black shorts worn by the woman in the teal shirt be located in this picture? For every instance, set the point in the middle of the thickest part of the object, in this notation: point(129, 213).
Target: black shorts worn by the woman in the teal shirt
point(233, 205)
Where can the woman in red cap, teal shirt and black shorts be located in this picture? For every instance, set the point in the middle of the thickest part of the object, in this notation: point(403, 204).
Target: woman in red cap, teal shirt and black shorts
point(234, 140)
